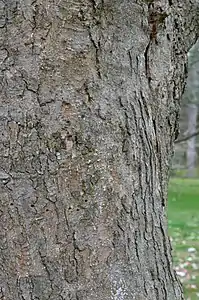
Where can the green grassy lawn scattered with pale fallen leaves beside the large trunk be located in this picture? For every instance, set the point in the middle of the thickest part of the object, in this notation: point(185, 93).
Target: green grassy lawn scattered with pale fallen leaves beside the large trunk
point(183, 213)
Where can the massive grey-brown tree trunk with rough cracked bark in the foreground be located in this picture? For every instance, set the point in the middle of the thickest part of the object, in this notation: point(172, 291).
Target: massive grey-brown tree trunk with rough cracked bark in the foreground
point(90, 95)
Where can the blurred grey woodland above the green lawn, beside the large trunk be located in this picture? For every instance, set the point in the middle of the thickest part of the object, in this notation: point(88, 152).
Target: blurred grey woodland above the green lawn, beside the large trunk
point(186, 152)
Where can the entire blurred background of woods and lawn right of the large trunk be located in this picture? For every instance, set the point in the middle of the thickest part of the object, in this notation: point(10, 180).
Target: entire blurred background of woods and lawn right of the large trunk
point(183, 207)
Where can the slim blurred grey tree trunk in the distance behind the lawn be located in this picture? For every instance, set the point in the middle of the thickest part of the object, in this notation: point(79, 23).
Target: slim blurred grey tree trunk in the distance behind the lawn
point(192, 113)
